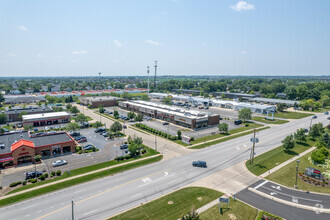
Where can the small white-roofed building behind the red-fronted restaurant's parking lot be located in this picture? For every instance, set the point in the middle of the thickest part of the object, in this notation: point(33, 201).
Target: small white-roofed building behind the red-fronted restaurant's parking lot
point(45, 119)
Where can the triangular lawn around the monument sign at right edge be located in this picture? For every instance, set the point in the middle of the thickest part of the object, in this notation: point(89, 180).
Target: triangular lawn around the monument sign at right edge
point(287, 175)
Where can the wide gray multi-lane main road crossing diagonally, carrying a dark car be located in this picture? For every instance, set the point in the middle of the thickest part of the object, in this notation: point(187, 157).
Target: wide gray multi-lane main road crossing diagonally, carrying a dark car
point(108, 196)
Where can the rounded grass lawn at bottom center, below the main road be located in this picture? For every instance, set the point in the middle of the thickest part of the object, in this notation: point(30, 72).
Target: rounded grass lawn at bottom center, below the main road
point(173, 205)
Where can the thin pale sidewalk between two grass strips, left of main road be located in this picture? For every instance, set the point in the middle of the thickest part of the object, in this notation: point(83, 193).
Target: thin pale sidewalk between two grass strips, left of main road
point(74, 177)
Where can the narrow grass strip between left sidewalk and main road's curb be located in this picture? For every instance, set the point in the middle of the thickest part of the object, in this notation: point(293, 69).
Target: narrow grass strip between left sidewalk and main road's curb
point(79, 180)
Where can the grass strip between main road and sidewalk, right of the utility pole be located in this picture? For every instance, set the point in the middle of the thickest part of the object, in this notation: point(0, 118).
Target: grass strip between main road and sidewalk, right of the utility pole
point(272, 158)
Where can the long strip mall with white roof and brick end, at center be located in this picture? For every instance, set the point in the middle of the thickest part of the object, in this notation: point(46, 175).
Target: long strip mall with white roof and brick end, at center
point(187, 118)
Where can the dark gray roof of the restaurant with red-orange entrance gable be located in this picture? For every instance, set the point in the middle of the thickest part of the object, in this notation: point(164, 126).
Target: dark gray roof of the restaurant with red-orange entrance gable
point(48, 139)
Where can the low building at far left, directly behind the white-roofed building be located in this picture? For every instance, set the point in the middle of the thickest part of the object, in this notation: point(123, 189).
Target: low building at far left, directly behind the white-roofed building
point(15, 114)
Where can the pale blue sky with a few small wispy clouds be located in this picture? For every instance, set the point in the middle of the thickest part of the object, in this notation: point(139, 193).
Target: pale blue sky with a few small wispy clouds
point(191, 37)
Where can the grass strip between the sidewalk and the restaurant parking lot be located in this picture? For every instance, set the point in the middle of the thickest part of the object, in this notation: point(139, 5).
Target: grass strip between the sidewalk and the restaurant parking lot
point(86, 169)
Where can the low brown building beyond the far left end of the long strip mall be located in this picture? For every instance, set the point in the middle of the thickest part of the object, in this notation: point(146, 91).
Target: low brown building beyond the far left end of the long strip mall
point(96, 101)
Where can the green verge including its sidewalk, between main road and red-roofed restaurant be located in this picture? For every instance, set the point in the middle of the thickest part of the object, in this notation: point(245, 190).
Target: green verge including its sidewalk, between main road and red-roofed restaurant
point(76, 176)
